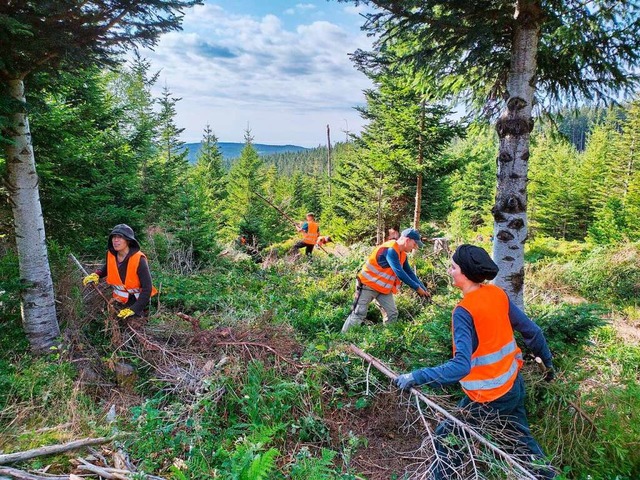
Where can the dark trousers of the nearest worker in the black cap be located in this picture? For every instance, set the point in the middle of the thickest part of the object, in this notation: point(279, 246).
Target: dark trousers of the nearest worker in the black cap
point(507, 410)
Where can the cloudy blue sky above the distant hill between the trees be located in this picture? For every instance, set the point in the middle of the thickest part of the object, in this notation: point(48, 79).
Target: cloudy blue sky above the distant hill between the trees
point(280, 67)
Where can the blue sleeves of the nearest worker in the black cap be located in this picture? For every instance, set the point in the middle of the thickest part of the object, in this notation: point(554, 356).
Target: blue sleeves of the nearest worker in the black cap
point(466, 342)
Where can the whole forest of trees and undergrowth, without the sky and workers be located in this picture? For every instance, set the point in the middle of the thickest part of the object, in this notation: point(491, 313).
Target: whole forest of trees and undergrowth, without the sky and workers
point(240, 370)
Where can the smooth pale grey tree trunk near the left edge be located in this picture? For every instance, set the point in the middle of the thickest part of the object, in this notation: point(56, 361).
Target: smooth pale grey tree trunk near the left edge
point(37, 296)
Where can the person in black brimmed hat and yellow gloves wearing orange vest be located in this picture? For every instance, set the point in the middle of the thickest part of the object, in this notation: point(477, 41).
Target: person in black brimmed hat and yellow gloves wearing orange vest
point(127, 271)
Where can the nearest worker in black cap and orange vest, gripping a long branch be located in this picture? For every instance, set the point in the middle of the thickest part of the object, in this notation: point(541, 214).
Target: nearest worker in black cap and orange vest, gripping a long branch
point(486, 359)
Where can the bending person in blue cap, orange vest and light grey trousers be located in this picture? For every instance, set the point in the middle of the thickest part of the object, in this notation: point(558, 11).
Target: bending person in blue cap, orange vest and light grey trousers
point(385, 269)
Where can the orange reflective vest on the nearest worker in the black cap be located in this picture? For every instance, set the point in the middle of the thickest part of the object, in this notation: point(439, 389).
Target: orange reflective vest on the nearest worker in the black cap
point(497, 360)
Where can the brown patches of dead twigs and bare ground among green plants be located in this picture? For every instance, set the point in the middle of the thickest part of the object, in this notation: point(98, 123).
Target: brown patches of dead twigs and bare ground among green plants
point(392, 441)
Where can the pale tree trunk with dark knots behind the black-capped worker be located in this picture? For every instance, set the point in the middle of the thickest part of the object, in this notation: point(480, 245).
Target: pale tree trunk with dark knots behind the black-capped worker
point(514, 128)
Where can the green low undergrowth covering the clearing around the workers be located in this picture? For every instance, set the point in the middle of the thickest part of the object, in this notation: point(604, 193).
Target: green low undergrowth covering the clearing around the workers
point(257, 421)
